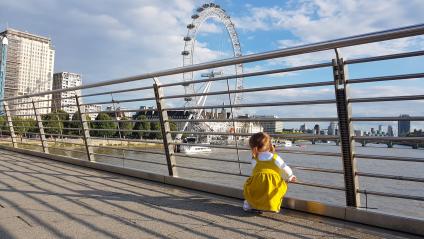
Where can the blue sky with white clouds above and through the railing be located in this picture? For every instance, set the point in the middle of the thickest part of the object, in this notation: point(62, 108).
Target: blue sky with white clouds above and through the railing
point(105, 39)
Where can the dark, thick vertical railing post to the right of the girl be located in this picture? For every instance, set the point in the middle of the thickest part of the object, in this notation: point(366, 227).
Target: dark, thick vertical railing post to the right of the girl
point(344, 113)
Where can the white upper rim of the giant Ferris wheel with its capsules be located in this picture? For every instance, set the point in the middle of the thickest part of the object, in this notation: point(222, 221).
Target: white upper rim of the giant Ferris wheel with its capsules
point(208, 11)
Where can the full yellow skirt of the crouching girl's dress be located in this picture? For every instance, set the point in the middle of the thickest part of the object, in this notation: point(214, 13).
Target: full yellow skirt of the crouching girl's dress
point(265, 191)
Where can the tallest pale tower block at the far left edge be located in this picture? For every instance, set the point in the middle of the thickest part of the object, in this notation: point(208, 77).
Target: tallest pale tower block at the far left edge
point(29, 69)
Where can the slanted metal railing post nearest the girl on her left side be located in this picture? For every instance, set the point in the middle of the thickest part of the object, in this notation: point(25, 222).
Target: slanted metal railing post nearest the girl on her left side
point(164, 125)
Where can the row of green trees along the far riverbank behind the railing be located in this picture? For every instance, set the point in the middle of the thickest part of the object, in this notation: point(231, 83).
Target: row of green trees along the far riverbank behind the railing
point(58, 123)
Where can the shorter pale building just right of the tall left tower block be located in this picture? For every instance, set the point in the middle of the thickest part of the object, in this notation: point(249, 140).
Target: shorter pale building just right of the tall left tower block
point(65, 100)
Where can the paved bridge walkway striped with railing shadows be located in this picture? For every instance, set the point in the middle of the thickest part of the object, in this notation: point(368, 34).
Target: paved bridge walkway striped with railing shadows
point(41, 198)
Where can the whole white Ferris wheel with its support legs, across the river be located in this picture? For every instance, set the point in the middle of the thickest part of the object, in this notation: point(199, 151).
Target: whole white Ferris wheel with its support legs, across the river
point(194, 92)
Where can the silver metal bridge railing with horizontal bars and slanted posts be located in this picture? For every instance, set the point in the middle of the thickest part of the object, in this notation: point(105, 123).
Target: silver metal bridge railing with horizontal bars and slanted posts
point(116, 136)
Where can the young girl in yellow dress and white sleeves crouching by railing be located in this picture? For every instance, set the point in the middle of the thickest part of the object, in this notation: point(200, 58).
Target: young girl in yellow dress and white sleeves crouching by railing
point(265, 189)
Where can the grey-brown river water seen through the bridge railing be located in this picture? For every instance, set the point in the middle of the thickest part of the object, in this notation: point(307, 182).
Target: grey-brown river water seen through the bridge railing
point(402, 207)
